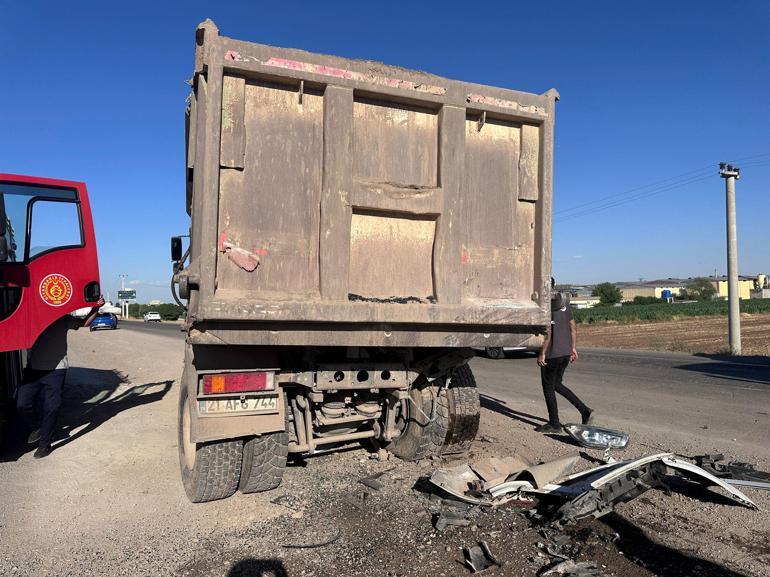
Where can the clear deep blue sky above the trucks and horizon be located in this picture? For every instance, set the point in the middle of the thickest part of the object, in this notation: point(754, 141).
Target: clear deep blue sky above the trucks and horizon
point(651, 91)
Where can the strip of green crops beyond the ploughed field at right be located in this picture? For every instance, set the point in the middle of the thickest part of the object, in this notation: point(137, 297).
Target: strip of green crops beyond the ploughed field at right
point(665, 311)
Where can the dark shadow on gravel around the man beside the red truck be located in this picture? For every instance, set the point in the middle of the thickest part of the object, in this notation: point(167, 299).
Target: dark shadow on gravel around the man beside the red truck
point(88, 401)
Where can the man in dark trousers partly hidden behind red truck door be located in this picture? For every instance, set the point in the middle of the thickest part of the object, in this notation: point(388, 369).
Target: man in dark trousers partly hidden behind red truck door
point(44, 377)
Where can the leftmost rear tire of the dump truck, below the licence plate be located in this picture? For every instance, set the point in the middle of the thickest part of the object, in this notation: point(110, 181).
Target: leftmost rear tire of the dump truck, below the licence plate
point(210, 471)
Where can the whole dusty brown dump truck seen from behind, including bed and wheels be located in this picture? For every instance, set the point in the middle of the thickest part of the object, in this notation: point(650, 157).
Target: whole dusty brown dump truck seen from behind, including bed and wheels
point(356, 230)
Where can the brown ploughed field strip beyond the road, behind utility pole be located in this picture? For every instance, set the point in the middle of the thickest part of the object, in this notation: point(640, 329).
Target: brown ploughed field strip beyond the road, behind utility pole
point(686, 335)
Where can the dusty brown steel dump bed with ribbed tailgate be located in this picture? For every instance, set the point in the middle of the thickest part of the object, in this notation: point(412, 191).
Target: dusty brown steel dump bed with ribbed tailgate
point(347, 202)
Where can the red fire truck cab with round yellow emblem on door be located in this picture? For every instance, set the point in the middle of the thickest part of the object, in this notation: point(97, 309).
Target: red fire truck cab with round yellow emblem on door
point(48, 265)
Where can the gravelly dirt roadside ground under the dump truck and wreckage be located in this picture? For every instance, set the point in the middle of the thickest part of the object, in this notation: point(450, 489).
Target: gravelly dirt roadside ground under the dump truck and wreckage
point(109, 501)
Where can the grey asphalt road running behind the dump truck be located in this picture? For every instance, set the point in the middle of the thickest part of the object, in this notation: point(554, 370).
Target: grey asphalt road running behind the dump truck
point(705, 397)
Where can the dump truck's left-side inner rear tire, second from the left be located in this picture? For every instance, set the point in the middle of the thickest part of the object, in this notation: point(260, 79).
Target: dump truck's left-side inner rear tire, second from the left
point(264, 459)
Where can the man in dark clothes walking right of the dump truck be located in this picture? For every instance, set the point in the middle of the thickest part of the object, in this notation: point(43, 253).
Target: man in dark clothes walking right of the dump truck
point(557, 353)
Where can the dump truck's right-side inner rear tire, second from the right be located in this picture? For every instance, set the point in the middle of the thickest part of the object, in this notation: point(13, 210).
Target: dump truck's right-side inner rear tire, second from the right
point(422, 438)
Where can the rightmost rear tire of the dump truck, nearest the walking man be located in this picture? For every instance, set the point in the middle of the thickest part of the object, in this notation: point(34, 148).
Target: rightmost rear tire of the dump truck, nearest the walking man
point(464, 410)
